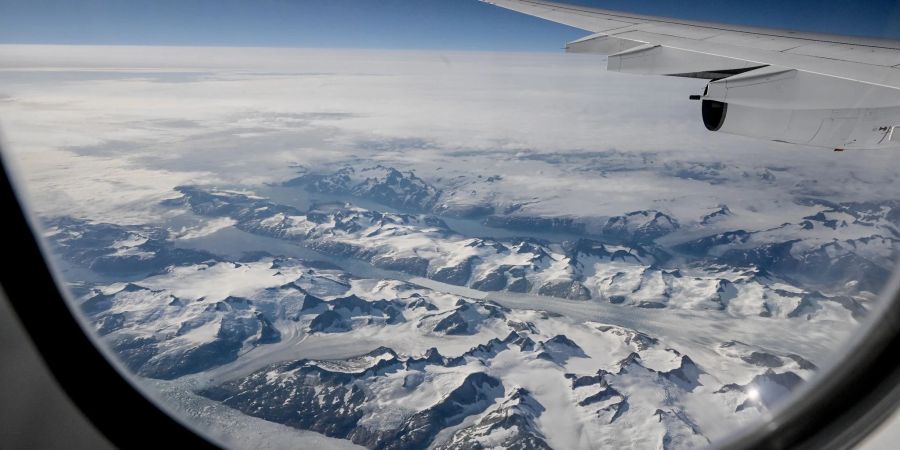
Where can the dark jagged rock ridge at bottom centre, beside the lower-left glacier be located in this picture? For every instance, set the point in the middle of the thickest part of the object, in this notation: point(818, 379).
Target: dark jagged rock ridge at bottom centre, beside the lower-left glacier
point(333, 402)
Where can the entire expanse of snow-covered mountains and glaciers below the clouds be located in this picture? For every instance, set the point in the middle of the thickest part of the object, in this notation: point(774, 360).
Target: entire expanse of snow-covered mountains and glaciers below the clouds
point(454, 340)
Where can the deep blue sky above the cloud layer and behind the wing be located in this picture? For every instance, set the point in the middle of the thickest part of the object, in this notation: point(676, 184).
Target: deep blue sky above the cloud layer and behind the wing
point(414, 24)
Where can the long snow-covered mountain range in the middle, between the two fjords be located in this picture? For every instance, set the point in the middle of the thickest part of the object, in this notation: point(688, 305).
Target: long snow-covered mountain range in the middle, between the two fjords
point(583, 269)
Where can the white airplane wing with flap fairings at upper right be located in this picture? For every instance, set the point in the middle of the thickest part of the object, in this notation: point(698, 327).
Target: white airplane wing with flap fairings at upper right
point(803, 88)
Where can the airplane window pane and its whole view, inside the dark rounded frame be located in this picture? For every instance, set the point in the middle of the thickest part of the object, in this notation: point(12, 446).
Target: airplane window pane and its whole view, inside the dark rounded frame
point(433, 243)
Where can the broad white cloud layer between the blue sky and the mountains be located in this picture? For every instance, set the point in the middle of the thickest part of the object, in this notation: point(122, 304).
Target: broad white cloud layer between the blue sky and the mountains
point(126, 124)
